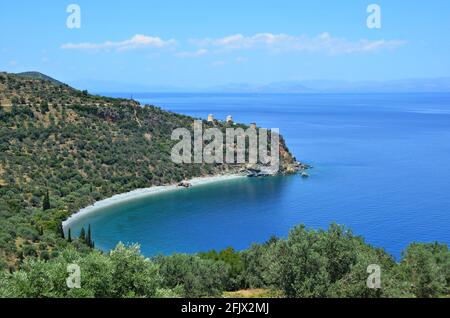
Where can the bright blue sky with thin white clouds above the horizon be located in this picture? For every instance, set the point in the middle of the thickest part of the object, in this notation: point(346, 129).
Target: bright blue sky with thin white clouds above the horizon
point(206, 43)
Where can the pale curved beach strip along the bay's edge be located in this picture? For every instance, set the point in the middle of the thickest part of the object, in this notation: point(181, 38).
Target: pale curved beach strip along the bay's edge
point(141, 193)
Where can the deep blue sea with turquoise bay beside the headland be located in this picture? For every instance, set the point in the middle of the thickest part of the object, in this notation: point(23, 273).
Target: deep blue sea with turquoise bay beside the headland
point(381, 167)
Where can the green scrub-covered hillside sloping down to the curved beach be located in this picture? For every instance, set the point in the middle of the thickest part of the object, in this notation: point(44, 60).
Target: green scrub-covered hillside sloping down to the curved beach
point(79, 148)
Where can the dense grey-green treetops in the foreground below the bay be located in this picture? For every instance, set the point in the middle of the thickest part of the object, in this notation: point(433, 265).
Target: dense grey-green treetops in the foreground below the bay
point(308, 263)
